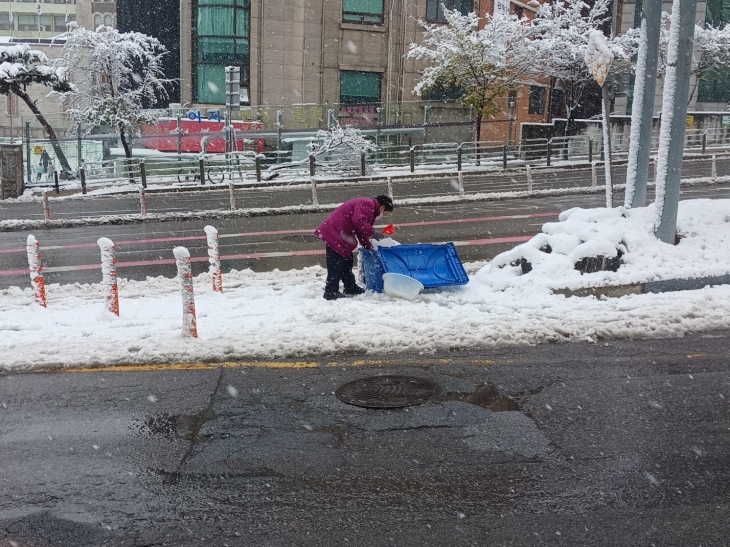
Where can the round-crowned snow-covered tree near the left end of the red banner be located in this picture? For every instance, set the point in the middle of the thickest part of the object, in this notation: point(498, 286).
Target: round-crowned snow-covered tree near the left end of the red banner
point(118, 74)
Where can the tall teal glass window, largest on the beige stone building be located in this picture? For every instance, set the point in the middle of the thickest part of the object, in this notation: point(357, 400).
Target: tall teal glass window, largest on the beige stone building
point(222, 39)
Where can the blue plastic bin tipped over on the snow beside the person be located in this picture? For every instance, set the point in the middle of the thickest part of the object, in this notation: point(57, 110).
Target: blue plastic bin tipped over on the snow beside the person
point(433, 265)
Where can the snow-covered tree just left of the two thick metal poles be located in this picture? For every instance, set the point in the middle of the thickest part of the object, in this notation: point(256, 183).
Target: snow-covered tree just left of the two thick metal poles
point(562, 31)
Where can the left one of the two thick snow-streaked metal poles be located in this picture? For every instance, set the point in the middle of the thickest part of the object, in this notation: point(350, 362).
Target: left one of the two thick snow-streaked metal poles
point(642, 107)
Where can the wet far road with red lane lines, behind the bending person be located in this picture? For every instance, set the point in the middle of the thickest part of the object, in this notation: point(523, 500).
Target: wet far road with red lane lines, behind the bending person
point(481, 230)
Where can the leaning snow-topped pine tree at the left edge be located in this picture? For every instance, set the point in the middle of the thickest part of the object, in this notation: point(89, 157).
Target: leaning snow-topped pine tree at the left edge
point(21, 67)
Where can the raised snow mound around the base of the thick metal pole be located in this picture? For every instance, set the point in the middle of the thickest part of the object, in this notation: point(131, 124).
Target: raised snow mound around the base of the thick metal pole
point(703, 250)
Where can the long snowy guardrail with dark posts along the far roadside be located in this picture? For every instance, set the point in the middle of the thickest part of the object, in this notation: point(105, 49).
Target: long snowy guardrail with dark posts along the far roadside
point(387, 160)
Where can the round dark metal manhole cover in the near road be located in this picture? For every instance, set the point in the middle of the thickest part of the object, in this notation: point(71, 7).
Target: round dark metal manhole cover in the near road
point(387, 391)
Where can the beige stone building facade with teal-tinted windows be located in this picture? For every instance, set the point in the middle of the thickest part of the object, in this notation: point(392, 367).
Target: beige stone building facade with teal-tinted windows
point(303, 51)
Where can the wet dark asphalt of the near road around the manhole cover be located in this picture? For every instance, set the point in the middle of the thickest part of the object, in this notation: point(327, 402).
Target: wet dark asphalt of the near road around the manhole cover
point(615, 444)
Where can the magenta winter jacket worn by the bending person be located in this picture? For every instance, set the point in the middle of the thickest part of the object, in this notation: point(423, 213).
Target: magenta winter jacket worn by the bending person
point(349, 223)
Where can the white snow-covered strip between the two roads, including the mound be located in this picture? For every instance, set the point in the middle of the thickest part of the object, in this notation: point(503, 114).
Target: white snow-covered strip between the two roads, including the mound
point(283, 315)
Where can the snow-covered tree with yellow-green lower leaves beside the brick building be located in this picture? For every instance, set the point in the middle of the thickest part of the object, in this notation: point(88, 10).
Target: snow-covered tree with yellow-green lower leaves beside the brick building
point(485, 64)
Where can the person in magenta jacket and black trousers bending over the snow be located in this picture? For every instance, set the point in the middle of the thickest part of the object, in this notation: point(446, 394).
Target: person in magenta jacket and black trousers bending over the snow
point(351, 223)
